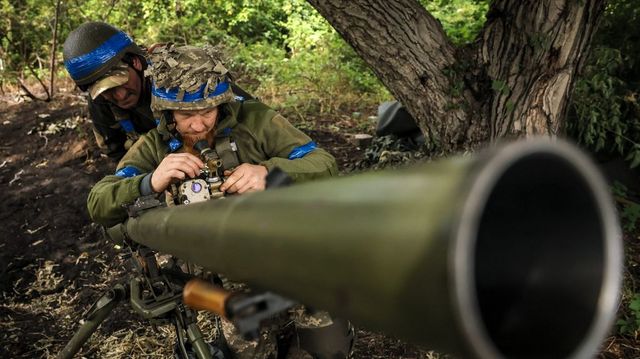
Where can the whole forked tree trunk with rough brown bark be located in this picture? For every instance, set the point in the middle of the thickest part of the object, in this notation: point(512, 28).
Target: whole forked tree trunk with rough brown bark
point(515, 80)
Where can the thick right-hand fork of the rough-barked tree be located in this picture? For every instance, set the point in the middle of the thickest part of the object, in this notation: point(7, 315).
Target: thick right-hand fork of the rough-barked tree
point(533, 50)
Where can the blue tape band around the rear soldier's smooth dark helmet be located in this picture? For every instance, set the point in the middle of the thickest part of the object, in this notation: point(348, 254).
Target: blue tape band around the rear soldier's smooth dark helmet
point(82, 66)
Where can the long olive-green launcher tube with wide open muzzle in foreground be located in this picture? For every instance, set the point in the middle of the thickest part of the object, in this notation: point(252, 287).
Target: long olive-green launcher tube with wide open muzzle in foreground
point(513, 253)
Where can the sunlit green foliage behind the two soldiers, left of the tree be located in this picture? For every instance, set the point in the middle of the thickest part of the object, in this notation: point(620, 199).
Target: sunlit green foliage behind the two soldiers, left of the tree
point(282, 50)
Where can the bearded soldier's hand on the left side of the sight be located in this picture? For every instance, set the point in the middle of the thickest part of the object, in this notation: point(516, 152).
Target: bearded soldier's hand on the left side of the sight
point(176, 166)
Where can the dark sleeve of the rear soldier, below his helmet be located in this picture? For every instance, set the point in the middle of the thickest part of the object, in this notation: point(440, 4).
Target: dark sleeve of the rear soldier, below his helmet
point(109, 137)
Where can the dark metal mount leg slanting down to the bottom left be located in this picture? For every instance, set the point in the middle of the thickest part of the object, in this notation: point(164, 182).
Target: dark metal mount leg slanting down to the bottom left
point(96, 314)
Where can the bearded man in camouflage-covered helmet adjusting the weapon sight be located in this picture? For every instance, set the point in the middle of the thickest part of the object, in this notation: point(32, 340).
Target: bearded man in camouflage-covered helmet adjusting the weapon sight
point(192, 97)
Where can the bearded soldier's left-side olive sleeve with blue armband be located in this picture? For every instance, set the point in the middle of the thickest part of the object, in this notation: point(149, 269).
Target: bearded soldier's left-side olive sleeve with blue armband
point(107, 197)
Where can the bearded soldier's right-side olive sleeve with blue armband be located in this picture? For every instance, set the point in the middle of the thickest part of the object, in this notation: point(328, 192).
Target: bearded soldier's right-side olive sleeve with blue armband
point(294, 152)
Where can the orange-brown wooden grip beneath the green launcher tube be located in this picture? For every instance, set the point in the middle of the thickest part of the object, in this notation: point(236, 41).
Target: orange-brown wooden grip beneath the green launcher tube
point(201, 295)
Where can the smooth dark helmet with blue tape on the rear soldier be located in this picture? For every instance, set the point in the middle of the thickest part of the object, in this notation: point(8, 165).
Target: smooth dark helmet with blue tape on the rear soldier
point(93, 49)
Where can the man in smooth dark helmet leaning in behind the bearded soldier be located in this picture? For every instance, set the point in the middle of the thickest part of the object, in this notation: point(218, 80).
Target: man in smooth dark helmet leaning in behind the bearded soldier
point(107, 63)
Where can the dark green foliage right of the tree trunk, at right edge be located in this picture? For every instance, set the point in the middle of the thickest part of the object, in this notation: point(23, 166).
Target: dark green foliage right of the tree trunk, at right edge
point(605, 112)
